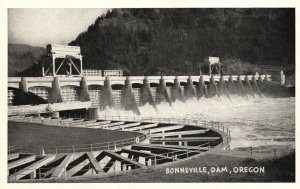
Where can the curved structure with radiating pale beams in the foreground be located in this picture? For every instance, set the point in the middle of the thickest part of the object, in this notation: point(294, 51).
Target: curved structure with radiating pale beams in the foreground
point(153, 147)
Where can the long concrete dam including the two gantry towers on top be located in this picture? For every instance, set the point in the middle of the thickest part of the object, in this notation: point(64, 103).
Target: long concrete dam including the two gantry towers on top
point(65, 81)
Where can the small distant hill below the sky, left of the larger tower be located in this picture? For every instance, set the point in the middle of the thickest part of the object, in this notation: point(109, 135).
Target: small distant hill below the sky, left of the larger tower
point(21, 57)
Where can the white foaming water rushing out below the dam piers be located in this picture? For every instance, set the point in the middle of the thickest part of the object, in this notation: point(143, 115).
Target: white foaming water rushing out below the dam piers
point(257, 121)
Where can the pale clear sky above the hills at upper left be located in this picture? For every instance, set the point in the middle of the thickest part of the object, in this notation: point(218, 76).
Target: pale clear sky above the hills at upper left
point(39, 27)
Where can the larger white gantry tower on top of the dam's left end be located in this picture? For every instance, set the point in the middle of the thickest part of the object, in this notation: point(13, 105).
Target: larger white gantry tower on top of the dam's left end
point(62, 61)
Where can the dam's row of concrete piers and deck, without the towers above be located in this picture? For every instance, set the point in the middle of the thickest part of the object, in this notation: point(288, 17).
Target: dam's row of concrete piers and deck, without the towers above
point(127, 93)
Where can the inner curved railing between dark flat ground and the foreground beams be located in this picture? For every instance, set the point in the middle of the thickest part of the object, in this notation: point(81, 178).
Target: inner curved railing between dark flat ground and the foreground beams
point(42, 150)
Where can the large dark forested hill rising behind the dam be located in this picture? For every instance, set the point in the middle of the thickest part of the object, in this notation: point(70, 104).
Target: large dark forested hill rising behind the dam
point(174, 41)
